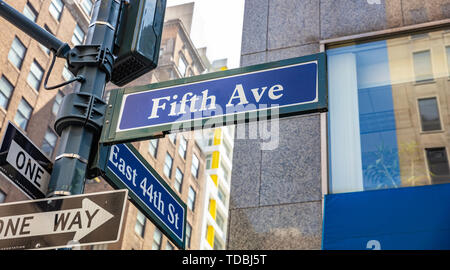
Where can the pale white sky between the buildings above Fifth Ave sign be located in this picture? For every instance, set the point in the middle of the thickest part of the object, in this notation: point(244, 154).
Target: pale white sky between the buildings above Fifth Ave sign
point(217, 25)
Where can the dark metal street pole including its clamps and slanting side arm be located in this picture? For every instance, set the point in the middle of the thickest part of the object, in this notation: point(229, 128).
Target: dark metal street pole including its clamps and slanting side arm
point(79, 118)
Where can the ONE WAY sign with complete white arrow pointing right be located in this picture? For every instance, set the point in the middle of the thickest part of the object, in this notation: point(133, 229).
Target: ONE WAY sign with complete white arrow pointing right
point(59, 222)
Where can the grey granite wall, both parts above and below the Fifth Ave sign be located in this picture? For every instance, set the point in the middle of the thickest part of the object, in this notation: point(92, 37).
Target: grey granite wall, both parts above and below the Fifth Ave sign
point(276, 197)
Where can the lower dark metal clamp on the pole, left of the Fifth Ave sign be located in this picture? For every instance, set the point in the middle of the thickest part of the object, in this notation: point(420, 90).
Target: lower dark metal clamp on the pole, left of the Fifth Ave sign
point(84, 109)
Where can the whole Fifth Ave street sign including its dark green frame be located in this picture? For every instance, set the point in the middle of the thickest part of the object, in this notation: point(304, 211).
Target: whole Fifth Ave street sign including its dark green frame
point(277, 89)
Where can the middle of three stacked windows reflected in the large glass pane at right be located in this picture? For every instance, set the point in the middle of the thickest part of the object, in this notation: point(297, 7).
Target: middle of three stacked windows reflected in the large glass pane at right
point(429, 114)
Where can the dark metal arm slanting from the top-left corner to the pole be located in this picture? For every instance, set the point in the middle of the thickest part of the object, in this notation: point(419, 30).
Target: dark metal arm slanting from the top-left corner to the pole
point(33, 30)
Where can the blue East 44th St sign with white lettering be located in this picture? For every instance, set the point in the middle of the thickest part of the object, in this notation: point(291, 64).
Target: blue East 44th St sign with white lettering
point(126, 168)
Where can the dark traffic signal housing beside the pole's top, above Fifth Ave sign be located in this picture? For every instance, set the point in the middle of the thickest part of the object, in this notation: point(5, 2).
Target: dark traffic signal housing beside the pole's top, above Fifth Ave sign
point(138, 39)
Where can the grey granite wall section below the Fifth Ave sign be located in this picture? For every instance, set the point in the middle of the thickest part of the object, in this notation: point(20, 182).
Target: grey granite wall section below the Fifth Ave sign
point(276, 194)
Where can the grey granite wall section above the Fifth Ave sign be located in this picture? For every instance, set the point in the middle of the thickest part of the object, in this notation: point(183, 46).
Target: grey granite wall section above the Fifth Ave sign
point(278, 29)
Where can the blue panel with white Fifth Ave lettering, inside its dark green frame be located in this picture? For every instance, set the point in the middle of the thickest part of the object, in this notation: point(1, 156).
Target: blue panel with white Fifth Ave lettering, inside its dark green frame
point(168, 105)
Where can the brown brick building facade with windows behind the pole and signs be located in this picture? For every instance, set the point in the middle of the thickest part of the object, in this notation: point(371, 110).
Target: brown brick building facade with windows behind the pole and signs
point(24, 102)
